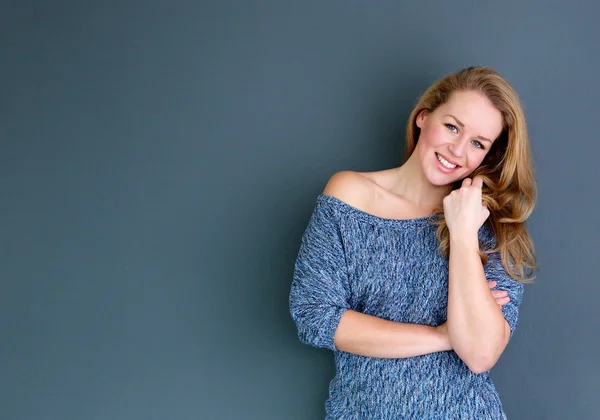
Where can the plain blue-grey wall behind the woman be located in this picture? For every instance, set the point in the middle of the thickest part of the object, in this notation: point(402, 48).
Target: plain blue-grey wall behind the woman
point(160, 160)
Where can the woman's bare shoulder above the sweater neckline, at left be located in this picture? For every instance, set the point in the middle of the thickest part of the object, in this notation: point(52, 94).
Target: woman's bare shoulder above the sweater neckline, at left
point(354, 188)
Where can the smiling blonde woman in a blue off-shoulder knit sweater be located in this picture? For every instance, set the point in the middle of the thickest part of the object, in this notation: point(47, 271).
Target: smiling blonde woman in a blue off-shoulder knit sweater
point(413, 276)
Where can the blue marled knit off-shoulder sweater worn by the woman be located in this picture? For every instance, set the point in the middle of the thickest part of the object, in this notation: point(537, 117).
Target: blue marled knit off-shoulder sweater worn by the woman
point(350, 259)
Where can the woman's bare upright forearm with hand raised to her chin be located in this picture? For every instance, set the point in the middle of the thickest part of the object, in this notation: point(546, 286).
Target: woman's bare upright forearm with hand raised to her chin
point(477, 328)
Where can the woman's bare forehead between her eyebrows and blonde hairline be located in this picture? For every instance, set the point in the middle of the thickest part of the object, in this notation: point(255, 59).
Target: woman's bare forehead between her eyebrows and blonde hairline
point(475, 111)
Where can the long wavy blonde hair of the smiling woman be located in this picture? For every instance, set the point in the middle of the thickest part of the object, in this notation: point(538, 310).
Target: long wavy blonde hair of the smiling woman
point(510, 190)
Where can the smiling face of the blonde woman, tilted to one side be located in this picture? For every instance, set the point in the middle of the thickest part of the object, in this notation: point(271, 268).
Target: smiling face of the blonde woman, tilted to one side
point(456, 136)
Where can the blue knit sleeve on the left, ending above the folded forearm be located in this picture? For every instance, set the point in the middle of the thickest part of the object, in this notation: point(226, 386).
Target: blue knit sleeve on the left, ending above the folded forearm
point(319, 293)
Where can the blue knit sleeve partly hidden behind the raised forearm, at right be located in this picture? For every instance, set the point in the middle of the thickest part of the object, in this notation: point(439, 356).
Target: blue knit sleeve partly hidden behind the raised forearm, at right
point(494, 270)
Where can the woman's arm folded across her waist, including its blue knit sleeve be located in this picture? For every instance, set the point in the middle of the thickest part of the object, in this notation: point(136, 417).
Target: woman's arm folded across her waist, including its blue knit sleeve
point(320, 307)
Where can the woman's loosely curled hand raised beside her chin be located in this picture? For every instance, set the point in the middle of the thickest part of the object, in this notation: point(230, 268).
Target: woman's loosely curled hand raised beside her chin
point(464, 210)
